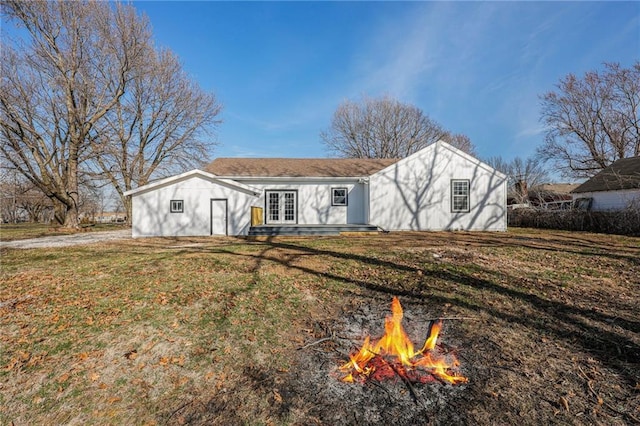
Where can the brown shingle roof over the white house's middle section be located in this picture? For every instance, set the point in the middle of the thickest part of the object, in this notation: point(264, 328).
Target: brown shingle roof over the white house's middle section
point(297, 167)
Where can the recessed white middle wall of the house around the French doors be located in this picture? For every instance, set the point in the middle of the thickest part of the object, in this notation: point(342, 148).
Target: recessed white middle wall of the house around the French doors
point(314, 200)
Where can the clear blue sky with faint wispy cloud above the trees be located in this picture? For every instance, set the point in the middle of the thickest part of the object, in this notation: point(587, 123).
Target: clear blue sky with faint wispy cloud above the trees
point(478, 68)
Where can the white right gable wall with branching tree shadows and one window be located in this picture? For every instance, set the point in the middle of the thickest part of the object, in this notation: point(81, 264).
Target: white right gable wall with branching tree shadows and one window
point(415, 193)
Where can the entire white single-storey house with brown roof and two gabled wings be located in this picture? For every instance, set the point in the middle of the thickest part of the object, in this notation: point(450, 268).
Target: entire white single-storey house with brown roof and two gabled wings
point(437, 188)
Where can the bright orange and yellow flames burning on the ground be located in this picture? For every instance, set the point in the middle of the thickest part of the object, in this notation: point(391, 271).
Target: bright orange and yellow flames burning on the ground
point(394, 354)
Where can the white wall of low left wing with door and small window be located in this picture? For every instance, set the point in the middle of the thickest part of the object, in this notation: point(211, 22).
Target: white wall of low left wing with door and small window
point(152, 217)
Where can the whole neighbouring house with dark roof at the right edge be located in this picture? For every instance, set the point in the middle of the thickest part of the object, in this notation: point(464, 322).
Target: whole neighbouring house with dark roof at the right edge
point(614, 188)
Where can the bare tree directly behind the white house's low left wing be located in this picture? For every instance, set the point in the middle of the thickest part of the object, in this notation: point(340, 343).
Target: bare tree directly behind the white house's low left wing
point(162, 125)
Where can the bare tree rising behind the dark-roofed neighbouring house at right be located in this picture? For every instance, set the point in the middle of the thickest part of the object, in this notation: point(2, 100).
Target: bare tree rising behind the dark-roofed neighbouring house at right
point(592, 121)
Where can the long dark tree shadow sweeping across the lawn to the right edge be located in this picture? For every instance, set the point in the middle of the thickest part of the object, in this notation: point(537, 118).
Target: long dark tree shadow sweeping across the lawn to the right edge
point(550, 317)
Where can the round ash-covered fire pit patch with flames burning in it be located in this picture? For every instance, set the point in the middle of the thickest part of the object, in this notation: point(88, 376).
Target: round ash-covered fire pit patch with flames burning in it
point(344, 378)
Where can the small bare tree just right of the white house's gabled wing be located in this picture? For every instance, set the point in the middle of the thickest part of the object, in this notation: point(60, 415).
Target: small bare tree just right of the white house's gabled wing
point(521, 174)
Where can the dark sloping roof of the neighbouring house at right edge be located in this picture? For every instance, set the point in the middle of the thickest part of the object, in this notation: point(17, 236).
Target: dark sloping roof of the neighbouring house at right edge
point(620, 175)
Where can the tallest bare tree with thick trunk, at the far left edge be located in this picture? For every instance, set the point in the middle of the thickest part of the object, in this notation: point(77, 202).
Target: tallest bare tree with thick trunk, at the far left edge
point(59, 84)
